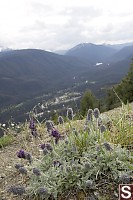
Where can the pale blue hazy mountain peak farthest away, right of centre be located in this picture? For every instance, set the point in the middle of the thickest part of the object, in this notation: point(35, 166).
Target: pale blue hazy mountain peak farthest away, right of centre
point(91, 52)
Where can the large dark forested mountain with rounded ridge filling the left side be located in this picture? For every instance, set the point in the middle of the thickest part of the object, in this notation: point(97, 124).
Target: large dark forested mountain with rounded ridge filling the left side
point(30, 72)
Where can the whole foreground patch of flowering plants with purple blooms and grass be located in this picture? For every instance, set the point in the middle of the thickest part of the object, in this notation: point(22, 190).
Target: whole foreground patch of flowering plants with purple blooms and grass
point(85, 160)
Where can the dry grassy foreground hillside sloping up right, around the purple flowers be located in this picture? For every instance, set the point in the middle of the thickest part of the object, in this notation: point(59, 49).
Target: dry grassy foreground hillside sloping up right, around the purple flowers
point(121, 122)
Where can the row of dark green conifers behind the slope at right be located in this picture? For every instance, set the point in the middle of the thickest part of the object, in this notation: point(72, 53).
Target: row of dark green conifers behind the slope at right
point(120, 93)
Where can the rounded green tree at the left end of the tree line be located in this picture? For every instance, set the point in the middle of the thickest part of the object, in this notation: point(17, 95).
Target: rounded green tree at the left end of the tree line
point(88, 101)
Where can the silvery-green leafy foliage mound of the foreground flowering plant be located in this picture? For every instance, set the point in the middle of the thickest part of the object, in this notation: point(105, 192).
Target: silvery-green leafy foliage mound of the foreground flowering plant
point(85, 160)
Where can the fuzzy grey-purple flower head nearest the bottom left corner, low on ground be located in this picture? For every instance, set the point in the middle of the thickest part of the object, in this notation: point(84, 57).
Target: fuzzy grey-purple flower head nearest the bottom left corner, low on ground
point(16, 190)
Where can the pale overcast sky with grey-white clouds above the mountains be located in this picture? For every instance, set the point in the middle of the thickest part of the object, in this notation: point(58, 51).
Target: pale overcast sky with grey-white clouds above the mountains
point(62, 24)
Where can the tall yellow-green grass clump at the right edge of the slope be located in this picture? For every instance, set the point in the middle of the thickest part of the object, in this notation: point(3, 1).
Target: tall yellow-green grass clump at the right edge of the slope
point(121, 128)
